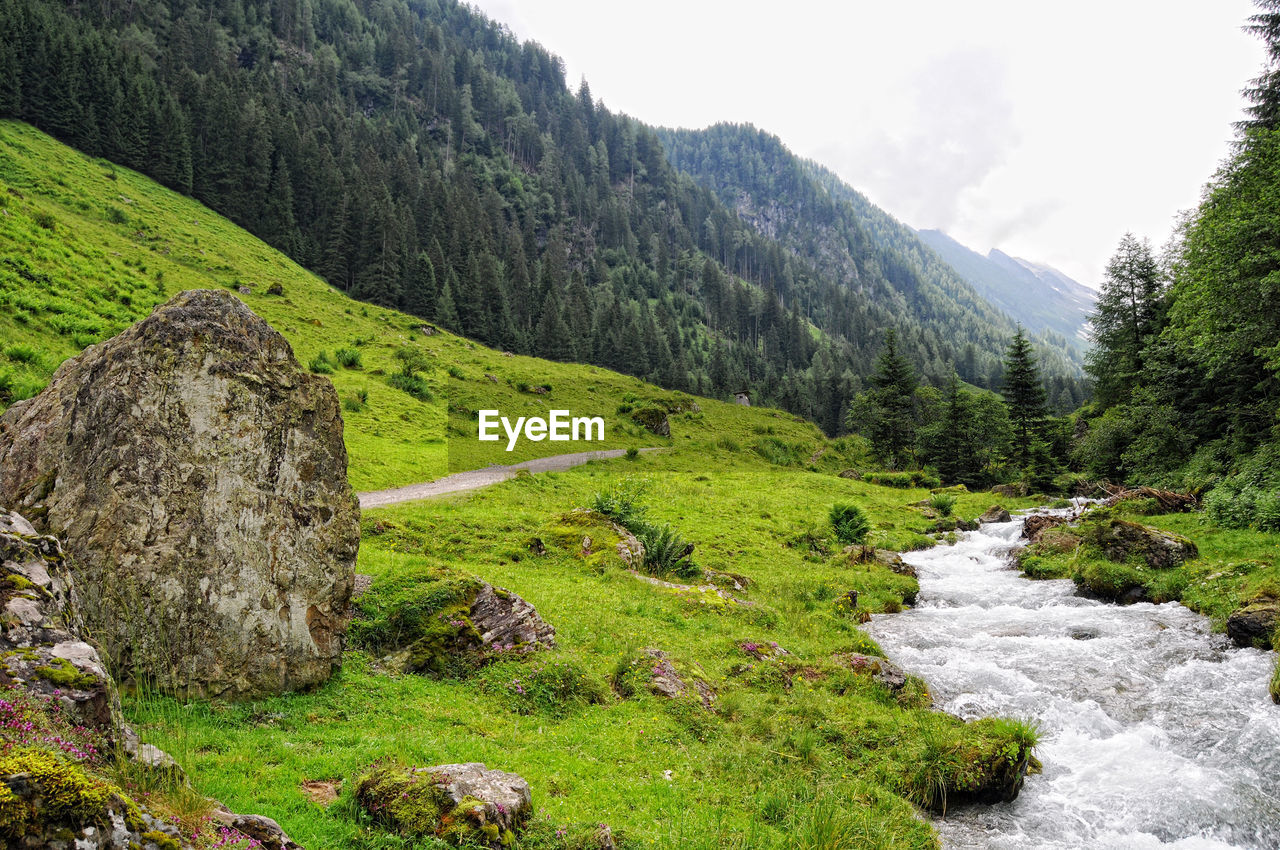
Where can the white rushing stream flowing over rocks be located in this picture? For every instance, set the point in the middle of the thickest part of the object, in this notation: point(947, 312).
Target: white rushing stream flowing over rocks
point(1155, 732)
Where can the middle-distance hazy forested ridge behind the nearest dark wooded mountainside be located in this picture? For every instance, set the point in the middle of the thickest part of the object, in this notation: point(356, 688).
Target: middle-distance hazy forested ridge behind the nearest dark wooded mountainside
point(815, 214)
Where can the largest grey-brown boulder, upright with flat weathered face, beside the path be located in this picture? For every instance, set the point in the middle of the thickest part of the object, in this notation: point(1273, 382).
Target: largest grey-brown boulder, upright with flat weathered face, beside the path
point(198, 478)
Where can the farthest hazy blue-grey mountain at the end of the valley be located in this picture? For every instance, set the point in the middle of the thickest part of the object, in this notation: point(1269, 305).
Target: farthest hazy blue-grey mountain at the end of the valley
point(1039, 296)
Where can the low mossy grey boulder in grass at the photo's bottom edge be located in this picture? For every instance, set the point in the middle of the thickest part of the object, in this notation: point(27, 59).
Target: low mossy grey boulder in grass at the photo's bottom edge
point(464, 803)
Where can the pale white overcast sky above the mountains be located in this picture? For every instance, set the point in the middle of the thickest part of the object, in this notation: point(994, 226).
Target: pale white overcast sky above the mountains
point(1046, 131)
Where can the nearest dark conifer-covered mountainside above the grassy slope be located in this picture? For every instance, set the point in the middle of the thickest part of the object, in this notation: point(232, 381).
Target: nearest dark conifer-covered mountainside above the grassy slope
point(418, 156)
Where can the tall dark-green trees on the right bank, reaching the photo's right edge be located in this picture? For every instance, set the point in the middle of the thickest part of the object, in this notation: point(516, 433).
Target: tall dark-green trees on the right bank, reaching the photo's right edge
point(1188, 351)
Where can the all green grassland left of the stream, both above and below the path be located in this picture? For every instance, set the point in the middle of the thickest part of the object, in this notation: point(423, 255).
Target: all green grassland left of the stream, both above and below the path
point(797, 751)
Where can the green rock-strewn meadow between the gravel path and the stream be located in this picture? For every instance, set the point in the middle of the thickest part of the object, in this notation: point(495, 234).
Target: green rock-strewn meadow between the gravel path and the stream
point(797, 748)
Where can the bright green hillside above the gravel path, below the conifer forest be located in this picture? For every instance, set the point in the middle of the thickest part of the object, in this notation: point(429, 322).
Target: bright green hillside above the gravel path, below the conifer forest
point(88, 249)
